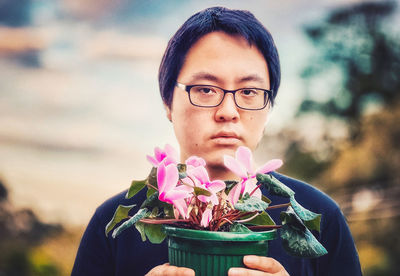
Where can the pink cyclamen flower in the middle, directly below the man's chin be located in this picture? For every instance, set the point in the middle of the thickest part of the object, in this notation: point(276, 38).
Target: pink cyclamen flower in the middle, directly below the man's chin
point(200, 176)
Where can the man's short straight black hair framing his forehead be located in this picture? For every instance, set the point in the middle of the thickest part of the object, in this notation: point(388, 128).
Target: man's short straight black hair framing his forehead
point(234, 22)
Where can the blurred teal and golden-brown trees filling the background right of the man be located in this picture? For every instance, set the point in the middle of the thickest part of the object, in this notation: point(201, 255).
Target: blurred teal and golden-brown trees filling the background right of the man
point(354, 77)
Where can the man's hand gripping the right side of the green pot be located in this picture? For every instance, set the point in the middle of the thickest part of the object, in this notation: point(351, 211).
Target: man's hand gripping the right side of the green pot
point(259, 266)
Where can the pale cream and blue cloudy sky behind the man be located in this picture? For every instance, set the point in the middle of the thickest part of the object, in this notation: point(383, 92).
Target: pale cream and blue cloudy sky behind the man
point(79, 101)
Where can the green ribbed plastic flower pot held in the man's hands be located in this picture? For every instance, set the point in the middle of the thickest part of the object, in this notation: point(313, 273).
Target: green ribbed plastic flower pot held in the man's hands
point(213, 253)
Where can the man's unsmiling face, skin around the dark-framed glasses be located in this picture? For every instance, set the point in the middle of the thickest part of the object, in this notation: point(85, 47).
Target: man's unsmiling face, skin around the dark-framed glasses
point(228, 62)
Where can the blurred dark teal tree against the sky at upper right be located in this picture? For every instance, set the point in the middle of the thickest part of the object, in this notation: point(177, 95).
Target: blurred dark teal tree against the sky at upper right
point(357, 43)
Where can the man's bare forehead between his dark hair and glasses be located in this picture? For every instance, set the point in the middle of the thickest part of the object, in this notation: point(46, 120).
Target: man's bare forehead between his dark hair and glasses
point(224, 58)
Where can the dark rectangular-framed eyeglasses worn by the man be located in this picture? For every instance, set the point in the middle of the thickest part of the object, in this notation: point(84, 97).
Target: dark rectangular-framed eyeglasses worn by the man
point(212, 96)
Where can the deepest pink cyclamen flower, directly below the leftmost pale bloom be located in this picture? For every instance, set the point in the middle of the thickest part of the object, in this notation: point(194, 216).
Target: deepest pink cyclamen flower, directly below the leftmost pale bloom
point(169, 190)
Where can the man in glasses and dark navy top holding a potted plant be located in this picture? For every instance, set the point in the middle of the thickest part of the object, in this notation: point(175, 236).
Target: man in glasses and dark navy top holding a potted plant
point(212, 65)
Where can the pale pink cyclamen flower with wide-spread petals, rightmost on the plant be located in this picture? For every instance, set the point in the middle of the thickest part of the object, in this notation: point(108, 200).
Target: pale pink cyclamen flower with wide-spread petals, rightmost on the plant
point(242, 166)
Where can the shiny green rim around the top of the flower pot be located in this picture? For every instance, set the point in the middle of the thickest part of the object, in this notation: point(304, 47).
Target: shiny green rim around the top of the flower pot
point(218, 236)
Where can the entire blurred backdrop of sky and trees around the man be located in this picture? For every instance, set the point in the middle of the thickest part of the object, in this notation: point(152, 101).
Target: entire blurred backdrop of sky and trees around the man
point(80, 109)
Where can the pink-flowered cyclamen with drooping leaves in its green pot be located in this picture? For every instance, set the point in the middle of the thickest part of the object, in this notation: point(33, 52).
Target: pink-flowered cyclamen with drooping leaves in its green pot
point(212, 224)
